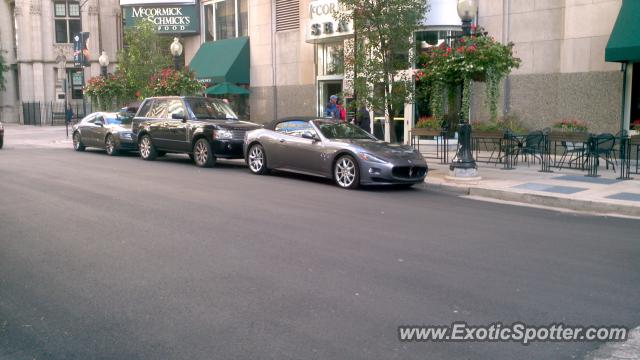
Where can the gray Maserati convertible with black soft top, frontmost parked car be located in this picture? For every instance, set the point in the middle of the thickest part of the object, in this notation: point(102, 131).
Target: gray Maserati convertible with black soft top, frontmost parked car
point(332, 149)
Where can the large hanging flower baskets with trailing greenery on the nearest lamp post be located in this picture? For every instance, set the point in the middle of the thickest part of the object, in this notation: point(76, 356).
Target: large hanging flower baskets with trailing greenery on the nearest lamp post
point(476, 57)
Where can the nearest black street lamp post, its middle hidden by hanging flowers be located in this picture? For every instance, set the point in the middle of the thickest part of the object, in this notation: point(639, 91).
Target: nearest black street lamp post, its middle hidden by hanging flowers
point(465, 166)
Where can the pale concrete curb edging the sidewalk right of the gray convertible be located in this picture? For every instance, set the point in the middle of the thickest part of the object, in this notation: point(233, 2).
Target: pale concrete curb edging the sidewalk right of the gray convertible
point(543, 200)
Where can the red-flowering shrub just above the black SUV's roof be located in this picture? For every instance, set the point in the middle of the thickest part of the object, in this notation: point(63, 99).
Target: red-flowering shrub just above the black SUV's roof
point(171, 82)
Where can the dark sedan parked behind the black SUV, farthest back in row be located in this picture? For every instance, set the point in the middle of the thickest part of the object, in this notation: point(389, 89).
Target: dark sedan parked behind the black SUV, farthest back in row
point(105, 130)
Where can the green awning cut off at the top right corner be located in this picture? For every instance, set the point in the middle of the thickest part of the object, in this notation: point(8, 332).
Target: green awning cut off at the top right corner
point(624, 42)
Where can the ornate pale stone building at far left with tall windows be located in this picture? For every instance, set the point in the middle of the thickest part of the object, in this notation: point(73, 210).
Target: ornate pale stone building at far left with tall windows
point(36, 38)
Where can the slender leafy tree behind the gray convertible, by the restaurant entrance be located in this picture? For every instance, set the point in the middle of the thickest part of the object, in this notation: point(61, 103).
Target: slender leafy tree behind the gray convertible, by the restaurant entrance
point(382, 53)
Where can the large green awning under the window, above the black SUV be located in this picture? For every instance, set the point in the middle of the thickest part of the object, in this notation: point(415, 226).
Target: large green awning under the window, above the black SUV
point(223, 61)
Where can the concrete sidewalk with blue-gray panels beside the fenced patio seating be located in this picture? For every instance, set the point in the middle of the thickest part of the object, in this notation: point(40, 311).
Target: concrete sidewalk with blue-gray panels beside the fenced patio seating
point(567, 188)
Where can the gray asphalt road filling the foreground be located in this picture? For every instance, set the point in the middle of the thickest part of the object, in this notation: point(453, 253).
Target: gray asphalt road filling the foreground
point(118, 258)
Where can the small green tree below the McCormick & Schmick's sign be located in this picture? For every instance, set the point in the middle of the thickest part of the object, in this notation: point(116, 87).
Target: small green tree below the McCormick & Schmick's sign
point(145, 53)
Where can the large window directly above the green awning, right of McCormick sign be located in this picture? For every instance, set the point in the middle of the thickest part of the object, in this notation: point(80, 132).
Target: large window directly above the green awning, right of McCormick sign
point(225, 19)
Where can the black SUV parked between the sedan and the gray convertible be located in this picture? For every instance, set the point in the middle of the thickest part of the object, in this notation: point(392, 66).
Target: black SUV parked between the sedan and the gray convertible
point(204, 128)
